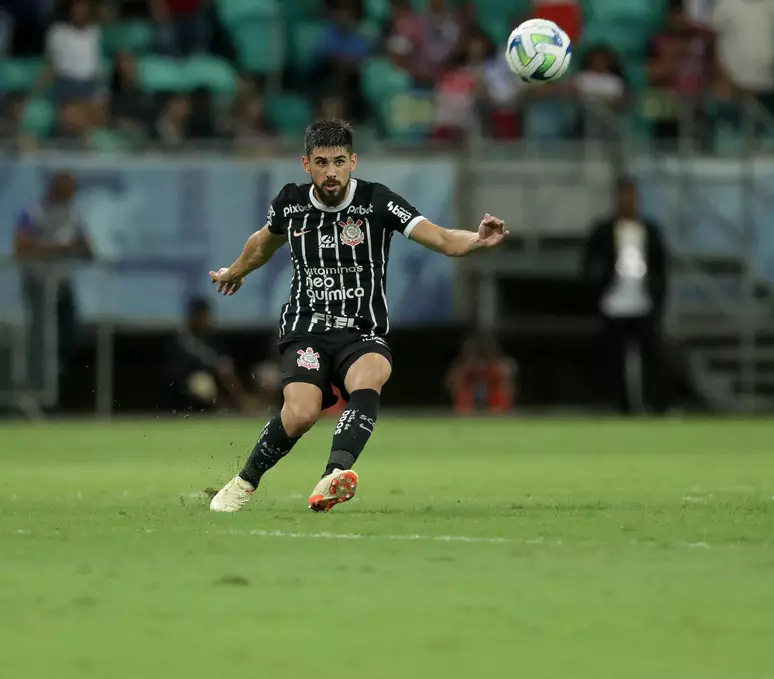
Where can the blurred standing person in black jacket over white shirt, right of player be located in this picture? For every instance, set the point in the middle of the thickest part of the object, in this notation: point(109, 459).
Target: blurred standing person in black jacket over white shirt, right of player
point(626, 269)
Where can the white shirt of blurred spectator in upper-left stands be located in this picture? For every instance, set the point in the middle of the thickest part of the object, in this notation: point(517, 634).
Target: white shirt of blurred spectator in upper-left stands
point(75, 53)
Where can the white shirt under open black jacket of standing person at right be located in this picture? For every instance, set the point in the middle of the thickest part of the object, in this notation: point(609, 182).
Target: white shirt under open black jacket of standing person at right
point(628, 295)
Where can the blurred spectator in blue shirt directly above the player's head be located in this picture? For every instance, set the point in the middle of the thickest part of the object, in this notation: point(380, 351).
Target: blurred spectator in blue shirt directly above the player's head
point(343, 50)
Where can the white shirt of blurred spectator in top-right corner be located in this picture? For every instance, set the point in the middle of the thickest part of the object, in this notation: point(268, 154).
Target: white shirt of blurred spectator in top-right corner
point(745, 42)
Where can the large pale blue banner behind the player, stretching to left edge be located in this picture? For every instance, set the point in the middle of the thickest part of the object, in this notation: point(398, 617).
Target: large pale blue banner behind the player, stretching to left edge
point(163, 224)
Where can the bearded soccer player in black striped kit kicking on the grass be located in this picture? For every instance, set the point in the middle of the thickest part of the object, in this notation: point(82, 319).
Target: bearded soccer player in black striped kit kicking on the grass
point(334, 327)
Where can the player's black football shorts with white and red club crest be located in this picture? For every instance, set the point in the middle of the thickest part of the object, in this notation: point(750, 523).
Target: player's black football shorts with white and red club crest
point(324, 358)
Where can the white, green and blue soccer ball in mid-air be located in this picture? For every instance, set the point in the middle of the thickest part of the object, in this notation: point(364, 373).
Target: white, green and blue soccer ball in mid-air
point(539, 51)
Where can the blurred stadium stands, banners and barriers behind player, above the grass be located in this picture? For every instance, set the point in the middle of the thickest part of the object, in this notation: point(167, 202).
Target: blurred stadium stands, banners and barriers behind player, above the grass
point(180, 119)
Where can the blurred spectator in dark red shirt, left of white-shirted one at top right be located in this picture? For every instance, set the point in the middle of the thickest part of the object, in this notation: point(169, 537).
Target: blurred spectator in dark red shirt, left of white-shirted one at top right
point(678, 68)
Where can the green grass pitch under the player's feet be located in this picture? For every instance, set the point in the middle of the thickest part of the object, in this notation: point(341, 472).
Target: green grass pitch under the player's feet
point(538, 549)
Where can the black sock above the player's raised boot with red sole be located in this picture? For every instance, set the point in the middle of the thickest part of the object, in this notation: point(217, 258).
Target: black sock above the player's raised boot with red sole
point(353, 429)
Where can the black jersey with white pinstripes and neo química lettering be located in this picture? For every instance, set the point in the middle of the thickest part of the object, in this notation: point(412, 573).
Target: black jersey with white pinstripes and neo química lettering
point(339, 255)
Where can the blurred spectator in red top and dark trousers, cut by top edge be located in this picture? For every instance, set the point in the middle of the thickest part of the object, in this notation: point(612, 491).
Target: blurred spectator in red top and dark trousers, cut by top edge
point(183, 27)
